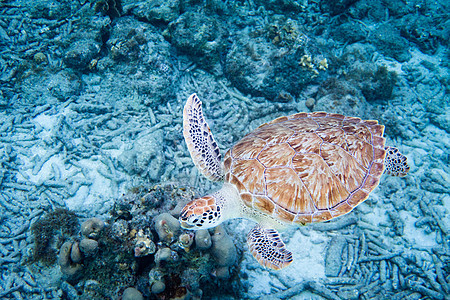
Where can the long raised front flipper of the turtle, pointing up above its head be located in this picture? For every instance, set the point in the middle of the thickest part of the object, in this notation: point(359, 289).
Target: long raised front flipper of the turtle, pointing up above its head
point(201, 144)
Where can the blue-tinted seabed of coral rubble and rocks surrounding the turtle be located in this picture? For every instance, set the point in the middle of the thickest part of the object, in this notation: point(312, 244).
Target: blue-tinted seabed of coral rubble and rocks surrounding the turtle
point(94, 169)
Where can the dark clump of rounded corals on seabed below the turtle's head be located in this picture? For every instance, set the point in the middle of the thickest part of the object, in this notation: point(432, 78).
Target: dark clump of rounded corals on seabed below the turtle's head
point(103, 258)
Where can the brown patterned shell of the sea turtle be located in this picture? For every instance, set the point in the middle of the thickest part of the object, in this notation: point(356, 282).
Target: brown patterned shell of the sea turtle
point(307, 167)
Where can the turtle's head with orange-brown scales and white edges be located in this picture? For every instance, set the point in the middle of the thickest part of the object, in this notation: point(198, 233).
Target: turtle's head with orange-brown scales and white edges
point(201, 213)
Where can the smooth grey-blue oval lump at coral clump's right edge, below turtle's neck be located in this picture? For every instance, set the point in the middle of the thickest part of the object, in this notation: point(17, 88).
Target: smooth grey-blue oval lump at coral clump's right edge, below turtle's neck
point(223, 248)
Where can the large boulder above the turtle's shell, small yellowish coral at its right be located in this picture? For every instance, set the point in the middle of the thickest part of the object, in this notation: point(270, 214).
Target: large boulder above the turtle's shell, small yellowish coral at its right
point(256, 66)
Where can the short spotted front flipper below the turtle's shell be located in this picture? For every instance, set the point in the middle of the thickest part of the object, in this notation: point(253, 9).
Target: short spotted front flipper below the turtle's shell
point(267, 247)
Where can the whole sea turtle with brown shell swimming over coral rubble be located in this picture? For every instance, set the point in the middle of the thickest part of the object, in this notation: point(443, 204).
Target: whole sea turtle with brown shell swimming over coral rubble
point(299, 169)
